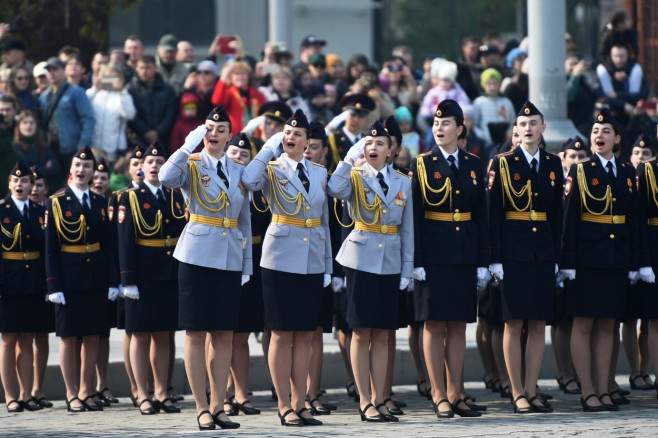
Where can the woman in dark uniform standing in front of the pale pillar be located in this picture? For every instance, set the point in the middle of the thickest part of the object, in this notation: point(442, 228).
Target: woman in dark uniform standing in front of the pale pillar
point(525, 229)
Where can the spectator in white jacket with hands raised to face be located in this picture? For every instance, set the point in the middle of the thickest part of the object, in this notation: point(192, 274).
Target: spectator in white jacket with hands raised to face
point(113, 108)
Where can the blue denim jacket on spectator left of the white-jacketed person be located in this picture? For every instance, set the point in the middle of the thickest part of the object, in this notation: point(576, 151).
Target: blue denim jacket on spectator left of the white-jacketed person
point(74, 115)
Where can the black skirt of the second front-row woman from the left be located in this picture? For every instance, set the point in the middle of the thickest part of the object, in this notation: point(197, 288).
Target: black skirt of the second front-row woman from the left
point(83, 314)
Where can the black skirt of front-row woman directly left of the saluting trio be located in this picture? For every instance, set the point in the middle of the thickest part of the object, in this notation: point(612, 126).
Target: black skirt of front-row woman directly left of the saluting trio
point(156, 310)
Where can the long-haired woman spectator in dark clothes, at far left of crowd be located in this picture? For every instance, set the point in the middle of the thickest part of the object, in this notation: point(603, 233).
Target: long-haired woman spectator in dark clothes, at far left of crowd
point(29, 142)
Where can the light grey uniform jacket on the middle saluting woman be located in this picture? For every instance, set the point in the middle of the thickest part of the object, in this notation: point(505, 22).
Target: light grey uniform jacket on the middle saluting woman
point(288, 248)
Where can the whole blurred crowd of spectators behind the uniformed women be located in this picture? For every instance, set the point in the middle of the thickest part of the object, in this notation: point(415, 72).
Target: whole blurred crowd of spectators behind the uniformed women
point(129, 97)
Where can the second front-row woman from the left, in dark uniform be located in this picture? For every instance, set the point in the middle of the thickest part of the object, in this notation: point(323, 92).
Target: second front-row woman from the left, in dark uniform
point(80, 264)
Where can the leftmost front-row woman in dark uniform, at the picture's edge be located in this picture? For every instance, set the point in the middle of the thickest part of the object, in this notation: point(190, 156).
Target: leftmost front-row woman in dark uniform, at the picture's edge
point(22, 308)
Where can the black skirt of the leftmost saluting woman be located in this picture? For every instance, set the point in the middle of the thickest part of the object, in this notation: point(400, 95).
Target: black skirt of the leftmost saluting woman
point(208, 299)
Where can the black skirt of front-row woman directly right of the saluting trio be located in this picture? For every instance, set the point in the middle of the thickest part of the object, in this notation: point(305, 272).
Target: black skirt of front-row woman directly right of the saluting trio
point(449, 293)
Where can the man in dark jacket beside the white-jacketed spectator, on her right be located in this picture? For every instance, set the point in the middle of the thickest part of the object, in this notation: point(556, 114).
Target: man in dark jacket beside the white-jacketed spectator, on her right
point(155, 101)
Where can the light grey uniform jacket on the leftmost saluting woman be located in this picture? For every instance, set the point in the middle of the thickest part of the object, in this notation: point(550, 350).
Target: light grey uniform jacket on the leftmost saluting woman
point(211, 246)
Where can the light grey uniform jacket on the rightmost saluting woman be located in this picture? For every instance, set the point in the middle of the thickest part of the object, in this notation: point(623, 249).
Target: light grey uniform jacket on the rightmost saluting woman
point(373, 252)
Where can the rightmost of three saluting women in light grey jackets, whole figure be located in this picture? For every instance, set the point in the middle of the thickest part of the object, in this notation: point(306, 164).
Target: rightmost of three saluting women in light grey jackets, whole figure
point(378, 260)
